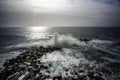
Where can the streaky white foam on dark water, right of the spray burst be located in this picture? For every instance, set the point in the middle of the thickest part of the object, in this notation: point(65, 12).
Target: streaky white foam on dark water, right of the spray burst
point(105, 46)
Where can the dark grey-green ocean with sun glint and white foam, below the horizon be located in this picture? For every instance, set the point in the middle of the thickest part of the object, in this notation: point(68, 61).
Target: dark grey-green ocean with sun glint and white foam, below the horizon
point(85, 48)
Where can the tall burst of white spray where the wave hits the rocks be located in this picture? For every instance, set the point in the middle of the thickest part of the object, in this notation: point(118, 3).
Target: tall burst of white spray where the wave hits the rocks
point(63, 41)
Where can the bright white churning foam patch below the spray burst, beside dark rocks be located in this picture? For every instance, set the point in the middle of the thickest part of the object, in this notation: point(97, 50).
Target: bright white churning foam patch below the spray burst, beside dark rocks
point(61, 56)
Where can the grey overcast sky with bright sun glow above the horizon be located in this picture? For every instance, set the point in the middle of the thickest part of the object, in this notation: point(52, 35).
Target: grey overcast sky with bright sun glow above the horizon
point(24, 13)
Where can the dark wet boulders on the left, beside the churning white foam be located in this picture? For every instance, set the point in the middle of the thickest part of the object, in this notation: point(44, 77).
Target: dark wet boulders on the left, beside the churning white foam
point(27, 61)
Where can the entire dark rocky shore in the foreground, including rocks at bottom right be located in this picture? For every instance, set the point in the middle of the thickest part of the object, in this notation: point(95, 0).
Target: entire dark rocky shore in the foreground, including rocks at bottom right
point(27, 66)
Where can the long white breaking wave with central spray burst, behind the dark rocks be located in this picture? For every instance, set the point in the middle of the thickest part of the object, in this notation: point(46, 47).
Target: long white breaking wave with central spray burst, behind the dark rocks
point(60, 40)
